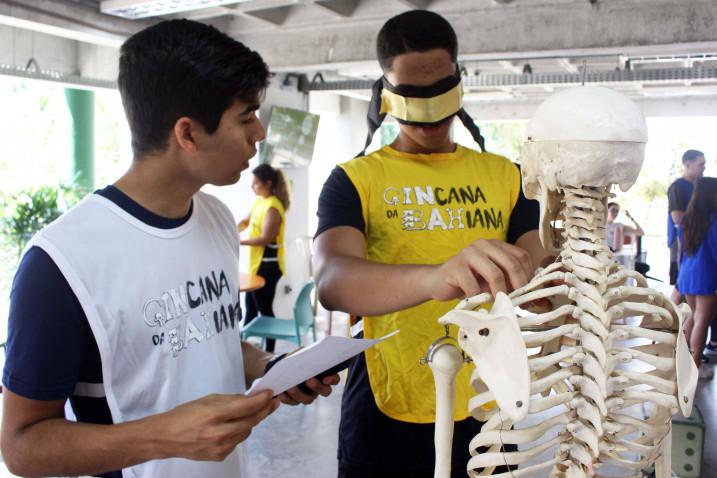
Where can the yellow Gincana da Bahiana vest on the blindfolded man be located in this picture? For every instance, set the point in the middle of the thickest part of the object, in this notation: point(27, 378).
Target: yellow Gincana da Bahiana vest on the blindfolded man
point(423, 209)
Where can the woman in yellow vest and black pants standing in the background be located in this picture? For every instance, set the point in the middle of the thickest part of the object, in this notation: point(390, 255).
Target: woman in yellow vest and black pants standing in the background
point(266, 239)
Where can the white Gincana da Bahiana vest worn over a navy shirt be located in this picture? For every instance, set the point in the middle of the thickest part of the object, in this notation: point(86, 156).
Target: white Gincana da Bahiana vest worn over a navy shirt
point(163, 305)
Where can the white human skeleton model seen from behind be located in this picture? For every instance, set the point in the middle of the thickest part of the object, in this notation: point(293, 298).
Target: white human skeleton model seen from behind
point(580, 142)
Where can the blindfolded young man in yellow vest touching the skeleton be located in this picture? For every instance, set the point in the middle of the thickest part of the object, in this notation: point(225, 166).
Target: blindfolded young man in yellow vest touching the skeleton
point(403, 233)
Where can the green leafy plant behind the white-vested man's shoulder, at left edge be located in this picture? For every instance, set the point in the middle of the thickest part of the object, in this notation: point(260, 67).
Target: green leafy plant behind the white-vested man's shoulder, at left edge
point(24, 213)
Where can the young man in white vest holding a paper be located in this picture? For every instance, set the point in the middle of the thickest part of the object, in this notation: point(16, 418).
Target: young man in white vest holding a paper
point(128, 305)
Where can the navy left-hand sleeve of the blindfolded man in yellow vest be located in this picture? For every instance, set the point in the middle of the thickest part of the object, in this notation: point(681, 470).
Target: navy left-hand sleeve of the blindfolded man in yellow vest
point(339, 204)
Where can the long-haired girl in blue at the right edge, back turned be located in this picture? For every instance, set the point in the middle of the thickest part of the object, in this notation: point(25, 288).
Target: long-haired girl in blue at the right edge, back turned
point(697, 280)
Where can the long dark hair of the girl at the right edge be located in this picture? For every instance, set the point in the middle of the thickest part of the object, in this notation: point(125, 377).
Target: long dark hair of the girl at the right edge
point(695, 223)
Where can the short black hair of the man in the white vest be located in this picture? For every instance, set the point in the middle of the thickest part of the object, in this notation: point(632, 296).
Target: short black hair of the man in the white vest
point(183, 68)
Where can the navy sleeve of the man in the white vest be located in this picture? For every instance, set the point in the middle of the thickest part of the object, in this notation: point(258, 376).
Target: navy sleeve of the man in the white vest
point(48, 334)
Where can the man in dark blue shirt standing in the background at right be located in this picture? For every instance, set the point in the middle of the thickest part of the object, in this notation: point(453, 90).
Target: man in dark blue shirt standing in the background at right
point(678, 196)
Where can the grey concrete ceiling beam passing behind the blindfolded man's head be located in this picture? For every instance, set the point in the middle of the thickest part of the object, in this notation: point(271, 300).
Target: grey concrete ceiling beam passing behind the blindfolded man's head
point(514, 31)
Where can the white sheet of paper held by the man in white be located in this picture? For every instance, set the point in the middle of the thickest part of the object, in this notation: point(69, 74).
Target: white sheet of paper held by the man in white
point(311, 361)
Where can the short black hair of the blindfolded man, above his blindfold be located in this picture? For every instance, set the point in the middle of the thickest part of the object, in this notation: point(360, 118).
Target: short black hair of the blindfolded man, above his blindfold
point(415, 30)
